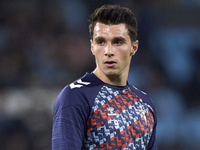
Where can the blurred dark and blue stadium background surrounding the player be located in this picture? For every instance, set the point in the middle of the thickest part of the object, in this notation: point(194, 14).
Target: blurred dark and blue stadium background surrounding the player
point(44, 45)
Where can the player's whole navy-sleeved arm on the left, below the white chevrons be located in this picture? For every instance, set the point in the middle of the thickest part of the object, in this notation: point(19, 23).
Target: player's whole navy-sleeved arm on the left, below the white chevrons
point(69, 120)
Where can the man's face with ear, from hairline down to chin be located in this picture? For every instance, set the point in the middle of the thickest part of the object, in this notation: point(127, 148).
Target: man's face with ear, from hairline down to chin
point(112, 48)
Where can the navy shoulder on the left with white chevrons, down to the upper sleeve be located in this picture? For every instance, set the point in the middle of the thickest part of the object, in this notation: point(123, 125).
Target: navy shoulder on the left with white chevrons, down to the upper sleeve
point(78, 93)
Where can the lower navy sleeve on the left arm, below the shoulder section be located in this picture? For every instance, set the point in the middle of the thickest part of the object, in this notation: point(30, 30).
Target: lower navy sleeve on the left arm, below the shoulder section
point(69, 126)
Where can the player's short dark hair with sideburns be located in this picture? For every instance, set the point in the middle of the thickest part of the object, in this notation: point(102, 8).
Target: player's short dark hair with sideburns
point(112, 15)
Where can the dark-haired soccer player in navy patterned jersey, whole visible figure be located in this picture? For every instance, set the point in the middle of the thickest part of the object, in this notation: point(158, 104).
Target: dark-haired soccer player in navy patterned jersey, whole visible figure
point(101, 110)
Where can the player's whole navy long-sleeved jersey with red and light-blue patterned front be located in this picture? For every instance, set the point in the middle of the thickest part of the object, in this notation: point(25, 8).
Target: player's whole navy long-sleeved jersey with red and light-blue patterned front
point(92, 115)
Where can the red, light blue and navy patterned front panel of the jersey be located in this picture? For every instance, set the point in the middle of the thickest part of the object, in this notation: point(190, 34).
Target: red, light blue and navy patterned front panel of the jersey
point(120, 120)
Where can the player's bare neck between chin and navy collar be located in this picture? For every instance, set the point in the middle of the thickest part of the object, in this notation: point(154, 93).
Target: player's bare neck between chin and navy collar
point(117, 80)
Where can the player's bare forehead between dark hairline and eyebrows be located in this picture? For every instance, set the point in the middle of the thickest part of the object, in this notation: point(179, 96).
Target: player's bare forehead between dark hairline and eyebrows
point(103, 30)
